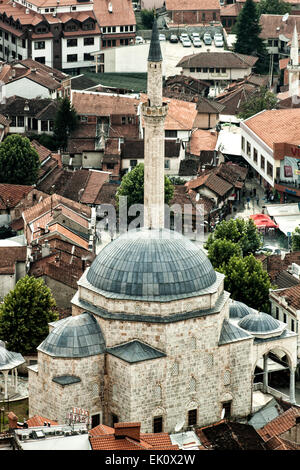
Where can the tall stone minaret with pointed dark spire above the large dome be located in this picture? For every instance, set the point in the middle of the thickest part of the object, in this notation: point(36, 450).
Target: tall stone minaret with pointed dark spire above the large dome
point(154, 113)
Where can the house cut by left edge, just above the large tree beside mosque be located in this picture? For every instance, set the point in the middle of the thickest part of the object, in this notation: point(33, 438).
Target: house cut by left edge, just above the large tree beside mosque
point(12, 267)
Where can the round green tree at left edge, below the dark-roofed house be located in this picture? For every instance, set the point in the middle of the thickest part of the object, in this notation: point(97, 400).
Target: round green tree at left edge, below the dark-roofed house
point(19, 161)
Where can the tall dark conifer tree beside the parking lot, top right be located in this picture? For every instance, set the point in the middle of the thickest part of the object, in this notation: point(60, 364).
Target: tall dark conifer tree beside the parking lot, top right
point(248, 41)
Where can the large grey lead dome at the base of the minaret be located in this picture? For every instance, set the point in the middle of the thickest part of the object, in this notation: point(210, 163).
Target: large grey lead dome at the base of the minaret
point(152, 263)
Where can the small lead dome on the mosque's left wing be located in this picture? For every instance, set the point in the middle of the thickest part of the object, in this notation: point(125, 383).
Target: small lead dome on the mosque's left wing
point(78, 336)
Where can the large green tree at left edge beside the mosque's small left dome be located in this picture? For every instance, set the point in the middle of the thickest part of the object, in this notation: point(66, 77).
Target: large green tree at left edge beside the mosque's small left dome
point(25, 314)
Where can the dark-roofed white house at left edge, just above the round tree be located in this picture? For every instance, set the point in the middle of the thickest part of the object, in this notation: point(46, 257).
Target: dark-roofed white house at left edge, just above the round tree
point(30, 115)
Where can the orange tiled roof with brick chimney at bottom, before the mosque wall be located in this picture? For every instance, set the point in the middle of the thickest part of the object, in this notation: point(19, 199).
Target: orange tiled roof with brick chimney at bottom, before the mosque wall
point(128, 436)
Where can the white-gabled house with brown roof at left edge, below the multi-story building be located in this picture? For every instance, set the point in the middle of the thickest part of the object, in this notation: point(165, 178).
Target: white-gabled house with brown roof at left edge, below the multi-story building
point(30, 79)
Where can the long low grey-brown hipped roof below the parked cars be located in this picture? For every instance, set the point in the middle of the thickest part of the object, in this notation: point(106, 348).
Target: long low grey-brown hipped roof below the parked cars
point(218, 59)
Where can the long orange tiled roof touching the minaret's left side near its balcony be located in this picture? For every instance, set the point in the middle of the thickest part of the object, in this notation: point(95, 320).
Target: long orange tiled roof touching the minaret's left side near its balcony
point(96, 104)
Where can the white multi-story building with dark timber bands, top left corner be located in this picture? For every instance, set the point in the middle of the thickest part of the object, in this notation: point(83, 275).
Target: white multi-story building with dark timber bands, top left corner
point(61, 34)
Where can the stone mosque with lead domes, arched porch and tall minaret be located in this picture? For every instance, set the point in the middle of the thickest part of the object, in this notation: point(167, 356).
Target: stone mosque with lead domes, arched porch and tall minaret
point(153, 335)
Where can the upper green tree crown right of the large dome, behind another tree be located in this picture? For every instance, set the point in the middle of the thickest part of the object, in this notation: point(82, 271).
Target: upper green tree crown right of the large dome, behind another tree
point(240, 231)
